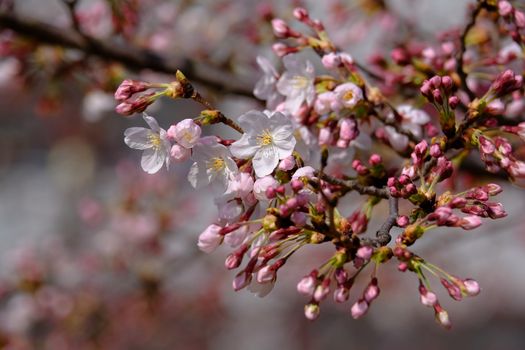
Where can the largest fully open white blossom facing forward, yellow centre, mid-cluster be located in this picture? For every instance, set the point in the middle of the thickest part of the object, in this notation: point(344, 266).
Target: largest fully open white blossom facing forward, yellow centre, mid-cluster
point(267, 139)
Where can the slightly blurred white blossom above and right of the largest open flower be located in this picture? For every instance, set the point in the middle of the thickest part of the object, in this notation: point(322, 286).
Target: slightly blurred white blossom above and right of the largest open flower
point(297, 82)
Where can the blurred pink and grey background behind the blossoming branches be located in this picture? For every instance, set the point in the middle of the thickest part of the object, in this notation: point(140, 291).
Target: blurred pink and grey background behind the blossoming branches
point(96, 254)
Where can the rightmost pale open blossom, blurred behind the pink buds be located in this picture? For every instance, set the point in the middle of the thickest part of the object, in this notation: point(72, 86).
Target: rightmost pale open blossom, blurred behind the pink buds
point(412, 120)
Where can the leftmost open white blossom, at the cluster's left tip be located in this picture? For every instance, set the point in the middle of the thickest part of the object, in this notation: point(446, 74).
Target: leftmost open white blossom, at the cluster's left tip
point(154, 142)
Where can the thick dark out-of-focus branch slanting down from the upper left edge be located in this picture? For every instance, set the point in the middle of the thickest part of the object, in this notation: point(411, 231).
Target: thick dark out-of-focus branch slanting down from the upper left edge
point(132, 57)
